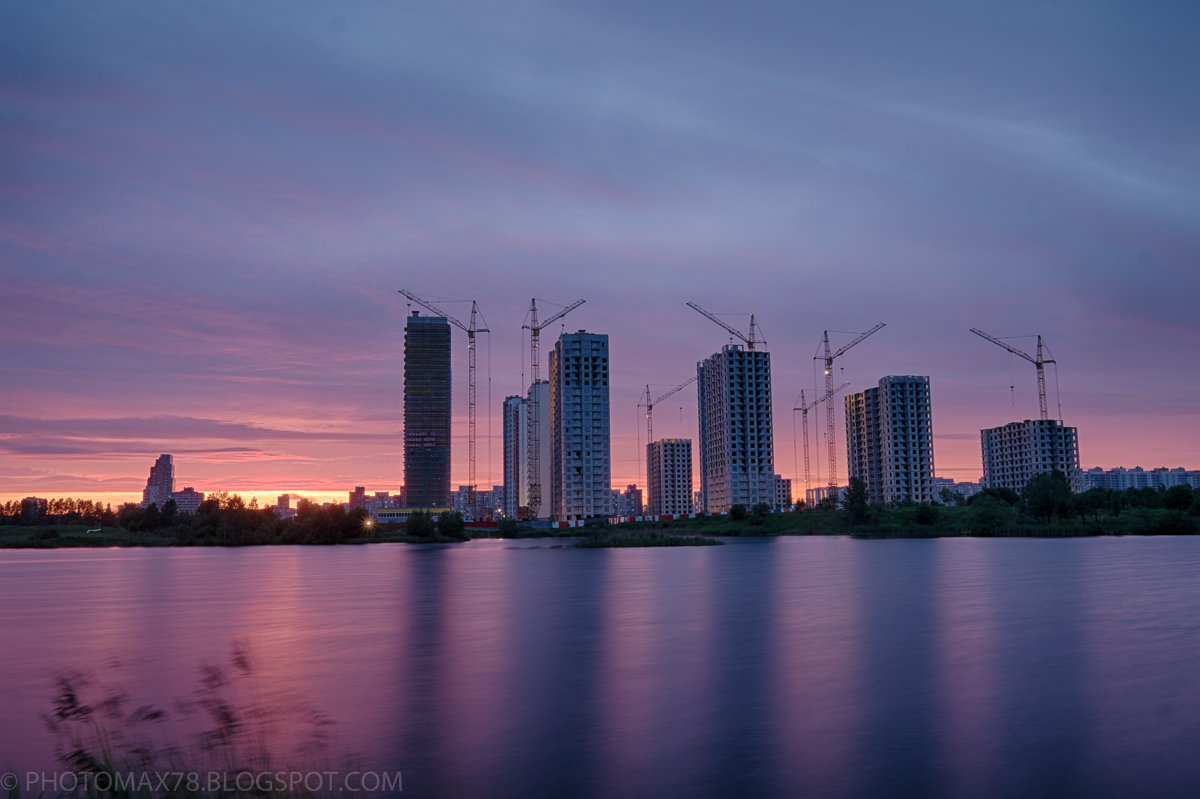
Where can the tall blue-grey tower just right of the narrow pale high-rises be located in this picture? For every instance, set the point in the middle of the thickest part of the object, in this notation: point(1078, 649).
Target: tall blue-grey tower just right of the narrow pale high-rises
point(580, 482)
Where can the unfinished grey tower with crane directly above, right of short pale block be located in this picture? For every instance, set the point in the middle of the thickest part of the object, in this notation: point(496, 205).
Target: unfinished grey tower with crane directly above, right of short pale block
point(737, 453)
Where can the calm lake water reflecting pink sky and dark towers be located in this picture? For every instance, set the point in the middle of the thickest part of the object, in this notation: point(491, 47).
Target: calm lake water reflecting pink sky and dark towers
point(777, 668)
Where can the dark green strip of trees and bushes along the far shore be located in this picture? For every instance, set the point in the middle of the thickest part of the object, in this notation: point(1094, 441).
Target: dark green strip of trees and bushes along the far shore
point(1046, 509)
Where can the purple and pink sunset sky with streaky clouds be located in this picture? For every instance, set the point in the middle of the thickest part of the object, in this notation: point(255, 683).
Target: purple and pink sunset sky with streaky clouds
point(207, 211)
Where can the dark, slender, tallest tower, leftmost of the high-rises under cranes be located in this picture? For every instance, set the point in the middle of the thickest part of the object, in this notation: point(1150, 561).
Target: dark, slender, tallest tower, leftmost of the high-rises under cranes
point(428, 412)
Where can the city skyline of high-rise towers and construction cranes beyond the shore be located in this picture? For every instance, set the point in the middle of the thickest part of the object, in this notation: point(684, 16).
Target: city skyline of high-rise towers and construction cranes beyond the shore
point(557, 460)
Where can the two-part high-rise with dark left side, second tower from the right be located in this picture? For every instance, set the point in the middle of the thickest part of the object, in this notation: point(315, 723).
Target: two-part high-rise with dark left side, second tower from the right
point(890, 441)
